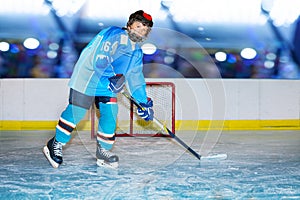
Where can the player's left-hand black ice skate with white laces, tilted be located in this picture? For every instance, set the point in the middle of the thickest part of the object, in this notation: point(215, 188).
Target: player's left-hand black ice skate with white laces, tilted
point(53, 152)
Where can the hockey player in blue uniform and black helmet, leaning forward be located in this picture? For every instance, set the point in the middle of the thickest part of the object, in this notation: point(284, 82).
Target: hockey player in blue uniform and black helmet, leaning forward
point(112, 58)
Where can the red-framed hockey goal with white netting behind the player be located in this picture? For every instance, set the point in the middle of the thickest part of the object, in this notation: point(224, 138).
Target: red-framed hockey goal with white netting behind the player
point(130, 124)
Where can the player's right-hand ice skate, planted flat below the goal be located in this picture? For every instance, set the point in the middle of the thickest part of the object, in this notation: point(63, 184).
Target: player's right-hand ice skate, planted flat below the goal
point(105, 158)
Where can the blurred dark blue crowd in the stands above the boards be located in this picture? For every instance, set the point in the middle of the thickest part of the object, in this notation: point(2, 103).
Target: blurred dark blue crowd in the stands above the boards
point(20, 62)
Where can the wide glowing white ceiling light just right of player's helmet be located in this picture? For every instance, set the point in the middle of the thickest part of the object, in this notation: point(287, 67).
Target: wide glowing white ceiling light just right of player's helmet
point(218, 11)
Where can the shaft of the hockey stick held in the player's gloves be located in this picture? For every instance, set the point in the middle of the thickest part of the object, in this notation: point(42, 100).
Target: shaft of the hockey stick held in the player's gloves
point(163, 127)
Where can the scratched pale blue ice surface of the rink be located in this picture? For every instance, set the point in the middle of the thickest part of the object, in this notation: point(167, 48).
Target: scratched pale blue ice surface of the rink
point(260, 165)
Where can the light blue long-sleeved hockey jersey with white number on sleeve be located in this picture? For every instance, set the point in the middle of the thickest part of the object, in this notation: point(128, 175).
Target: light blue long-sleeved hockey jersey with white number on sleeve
point(110, 52)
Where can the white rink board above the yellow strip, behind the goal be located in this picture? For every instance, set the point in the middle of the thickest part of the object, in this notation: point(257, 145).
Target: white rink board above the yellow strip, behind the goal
point(196, 99)
